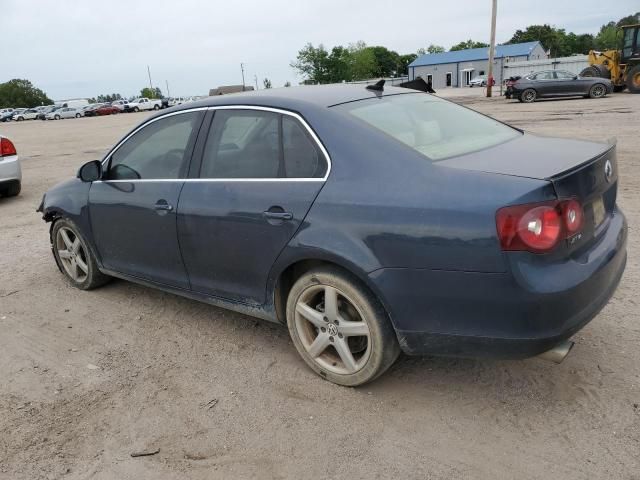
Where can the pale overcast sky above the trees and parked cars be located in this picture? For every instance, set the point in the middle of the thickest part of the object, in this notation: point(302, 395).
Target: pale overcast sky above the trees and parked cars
point(82, 48)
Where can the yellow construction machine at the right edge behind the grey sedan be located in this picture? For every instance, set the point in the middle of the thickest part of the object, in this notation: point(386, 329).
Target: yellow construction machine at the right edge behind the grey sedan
point(621, 66)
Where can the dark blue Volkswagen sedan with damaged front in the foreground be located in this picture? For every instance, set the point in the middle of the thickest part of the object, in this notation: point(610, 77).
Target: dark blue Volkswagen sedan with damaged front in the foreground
point(369, 221)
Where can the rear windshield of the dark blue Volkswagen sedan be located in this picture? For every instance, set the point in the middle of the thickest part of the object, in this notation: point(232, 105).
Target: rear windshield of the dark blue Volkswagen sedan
point(436, 128)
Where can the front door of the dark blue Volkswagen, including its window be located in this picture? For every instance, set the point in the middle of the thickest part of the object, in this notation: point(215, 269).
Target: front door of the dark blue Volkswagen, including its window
point(133, 208)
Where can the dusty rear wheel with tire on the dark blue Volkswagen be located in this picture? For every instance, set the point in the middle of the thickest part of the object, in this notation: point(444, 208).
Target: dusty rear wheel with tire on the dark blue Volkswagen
point(366, 353)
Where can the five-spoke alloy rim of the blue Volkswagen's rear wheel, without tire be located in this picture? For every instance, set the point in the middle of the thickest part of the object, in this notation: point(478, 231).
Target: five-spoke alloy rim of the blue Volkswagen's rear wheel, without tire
point(332, 329)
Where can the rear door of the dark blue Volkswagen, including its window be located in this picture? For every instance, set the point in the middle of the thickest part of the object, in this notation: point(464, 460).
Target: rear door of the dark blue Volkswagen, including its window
point(260, 172)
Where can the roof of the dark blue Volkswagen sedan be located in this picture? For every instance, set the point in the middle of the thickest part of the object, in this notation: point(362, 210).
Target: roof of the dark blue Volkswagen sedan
point(297, 98)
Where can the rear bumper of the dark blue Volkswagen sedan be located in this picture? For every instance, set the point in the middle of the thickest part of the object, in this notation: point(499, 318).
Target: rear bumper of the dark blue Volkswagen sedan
point(516, 314)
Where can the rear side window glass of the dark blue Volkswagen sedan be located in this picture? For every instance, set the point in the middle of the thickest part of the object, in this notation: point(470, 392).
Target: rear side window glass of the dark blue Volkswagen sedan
point(253, 144)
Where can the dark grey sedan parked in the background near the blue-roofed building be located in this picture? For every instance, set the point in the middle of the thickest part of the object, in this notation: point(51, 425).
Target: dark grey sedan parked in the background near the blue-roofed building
point(558, 83)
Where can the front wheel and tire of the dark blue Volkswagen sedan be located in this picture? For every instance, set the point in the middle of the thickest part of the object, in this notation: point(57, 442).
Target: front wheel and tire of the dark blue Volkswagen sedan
point(77, 251)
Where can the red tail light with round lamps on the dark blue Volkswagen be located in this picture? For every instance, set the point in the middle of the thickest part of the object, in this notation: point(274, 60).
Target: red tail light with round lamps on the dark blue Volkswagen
point(538, 227)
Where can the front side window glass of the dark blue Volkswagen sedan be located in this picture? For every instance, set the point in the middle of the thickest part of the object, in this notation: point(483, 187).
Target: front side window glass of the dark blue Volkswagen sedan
point(158, 151)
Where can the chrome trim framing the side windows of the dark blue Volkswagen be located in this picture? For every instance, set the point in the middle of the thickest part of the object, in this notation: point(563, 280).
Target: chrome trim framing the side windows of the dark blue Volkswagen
point(226, 107)
